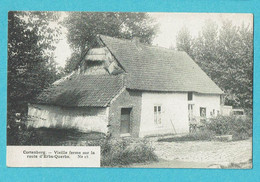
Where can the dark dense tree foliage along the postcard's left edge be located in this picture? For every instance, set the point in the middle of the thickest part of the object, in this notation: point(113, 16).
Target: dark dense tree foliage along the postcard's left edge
point(30, 57)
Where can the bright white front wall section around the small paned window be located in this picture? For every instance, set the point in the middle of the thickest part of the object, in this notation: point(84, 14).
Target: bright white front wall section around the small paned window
point(174, 113)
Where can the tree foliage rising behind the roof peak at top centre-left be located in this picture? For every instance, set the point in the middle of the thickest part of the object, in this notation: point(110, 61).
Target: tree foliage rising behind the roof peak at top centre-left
point(84, 26)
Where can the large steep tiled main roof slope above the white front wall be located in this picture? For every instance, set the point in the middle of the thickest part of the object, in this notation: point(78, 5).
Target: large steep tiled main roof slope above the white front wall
point(151, 68)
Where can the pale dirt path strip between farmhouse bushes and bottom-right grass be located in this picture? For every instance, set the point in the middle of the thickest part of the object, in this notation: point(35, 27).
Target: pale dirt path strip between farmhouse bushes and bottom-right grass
point(205, 151)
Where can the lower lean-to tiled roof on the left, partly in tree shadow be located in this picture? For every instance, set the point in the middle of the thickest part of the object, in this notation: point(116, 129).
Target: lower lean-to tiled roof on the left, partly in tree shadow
point(83, 90)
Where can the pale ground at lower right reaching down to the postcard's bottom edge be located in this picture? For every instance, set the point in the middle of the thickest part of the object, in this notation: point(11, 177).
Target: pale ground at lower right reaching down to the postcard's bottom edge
point(202, 154)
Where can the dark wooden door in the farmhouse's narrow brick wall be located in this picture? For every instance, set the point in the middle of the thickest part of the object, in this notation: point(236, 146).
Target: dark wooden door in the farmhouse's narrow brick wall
point(125, 120)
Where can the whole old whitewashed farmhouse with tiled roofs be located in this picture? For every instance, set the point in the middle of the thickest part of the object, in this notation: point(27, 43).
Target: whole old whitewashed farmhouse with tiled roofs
point(128, 88)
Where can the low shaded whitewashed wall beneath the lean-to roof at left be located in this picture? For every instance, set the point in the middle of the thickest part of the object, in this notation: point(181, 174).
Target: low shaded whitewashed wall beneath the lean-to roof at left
point(84, 119)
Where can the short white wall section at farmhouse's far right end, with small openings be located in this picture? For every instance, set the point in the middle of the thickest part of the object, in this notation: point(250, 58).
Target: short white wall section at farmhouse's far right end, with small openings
point(210, 102)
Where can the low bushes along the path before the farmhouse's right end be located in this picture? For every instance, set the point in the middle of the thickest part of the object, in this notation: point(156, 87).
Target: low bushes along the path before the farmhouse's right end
point(240, 128)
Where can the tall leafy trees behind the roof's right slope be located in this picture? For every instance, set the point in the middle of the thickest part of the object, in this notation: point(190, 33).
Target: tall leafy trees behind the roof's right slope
point(226, 54)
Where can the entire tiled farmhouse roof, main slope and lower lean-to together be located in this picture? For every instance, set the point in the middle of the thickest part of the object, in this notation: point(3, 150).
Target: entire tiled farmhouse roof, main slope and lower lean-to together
point(148, 68)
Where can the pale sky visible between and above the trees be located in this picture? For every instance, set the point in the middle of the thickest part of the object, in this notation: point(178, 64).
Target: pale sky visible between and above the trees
point(169, 26)
